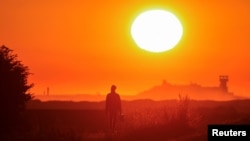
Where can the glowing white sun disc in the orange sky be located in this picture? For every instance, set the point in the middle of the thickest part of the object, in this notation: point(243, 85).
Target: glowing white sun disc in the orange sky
point(156, 30)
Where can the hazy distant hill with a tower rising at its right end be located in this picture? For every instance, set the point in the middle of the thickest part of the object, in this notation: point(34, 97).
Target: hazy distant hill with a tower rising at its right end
point(194, 90)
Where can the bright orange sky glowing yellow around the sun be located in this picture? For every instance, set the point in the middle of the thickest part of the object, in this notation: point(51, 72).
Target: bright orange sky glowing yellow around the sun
point(83, 47)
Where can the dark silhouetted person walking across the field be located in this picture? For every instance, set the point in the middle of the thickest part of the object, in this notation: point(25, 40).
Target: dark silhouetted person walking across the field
point(113, 106)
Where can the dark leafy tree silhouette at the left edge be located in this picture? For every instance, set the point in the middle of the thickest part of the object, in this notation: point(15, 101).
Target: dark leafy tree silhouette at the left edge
point(14, 89)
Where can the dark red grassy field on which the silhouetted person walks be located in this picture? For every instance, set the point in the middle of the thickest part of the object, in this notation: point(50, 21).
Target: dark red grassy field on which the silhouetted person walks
point(144, 120)
